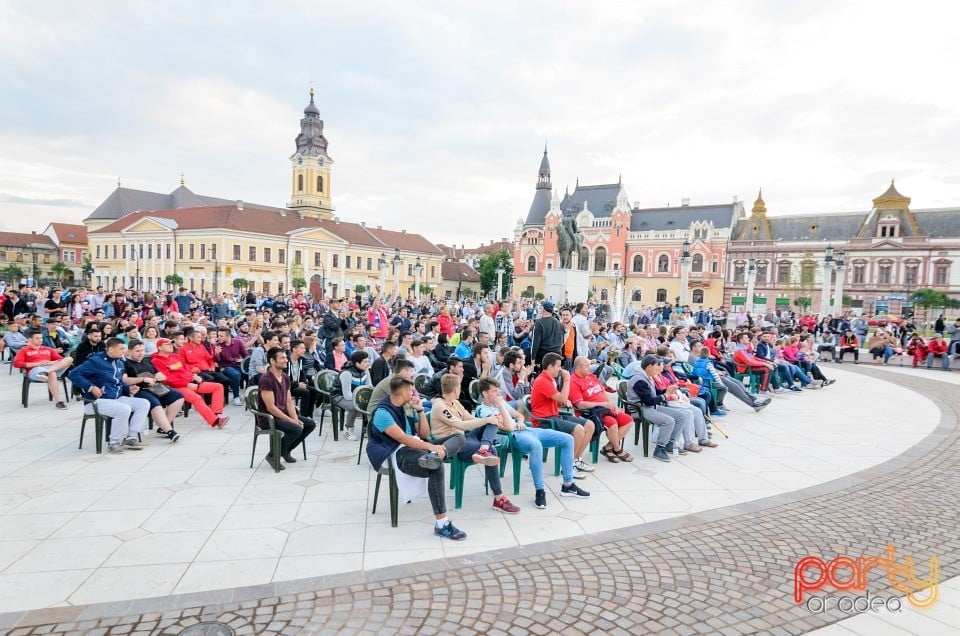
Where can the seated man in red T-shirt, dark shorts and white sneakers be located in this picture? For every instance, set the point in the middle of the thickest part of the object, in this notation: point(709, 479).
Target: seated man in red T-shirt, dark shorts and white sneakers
point(545, 402)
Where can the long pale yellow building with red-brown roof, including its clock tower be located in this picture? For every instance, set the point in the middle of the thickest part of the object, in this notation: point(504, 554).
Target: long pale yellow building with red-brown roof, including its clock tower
point(139, 238)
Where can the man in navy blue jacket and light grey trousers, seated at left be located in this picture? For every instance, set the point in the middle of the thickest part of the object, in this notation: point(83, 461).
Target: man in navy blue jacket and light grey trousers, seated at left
point(100, 377)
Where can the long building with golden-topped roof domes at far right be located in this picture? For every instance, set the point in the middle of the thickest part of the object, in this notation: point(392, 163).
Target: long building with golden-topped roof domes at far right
point(886, 254)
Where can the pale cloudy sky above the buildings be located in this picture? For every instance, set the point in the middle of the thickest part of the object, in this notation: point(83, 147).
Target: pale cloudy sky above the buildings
point(437, 113)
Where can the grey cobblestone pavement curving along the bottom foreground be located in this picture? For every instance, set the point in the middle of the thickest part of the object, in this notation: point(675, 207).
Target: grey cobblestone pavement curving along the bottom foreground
point(726, 571)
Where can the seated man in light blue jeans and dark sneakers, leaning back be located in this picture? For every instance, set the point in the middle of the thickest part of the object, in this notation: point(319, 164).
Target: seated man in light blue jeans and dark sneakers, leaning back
point(531, 441)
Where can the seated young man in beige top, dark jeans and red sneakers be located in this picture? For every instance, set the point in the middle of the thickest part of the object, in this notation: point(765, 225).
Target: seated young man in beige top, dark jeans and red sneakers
point(448, 417)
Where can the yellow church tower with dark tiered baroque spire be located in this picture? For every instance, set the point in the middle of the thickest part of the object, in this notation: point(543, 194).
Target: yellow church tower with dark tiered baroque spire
point(310, 167)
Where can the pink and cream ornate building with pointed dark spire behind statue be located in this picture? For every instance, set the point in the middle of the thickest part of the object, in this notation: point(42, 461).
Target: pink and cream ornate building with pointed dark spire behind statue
point(626, 247)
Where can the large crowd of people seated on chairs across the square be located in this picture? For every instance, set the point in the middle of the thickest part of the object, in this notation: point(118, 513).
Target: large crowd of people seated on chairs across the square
point(536, 373)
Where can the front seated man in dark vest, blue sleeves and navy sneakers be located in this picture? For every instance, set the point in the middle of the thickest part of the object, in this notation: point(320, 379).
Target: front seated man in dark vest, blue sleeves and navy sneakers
point(394, 433)
